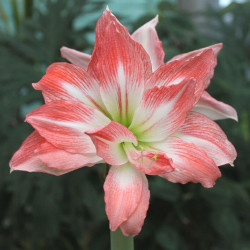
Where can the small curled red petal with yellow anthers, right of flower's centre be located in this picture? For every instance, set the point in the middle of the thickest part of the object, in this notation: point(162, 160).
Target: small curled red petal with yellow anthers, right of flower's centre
point(148, 162)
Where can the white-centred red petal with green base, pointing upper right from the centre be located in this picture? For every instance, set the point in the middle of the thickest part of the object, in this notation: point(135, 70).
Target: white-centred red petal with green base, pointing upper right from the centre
point(162, 111)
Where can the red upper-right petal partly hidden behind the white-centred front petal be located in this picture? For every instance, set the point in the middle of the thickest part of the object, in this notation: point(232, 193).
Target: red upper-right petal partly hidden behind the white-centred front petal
point(200, 67)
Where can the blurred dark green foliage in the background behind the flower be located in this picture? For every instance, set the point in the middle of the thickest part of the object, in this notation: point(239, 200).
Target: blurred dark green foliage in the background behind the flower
point(39, 211)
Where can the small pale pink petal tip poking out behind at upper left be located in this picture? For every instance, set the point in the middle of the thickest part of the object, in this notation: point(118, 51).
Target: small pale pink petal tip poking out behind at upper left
point(76, 57)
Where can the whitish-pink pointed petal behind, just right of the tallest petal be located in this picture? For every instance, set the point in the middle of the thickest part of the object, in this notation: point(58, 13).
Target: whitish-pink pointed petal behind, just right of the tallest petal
point(147, 36)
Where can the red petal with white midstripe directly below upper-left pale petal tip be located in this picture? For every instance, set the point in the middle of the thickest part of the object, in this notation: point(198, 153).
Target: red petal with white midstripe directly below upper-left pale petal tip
point(65, 81)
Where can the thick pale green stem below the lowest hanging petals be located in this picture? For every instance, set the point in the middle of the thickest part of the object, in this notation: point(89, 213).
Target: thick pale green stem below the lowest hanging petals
point(121, 242)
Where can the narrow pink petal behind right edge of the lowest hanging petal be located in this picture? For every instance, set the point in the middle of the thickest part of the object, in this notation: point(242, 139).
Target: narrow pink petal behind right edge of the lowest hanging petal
point(133, 225)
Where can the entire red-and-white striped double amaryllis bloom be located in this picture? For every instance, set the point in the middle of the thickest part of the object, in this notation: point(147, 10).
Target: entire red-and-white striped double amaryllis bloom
point(125, 107)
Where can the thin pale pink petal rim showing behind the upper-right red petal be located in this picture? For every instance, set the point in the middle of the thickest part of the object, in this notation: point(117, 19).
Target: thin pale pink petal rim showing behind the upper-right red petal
point(186, 56)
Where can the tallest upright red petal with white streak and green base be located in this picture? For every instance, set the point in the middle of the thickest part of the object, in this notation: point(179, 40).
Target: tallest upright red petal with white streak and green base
point(123, 66)
